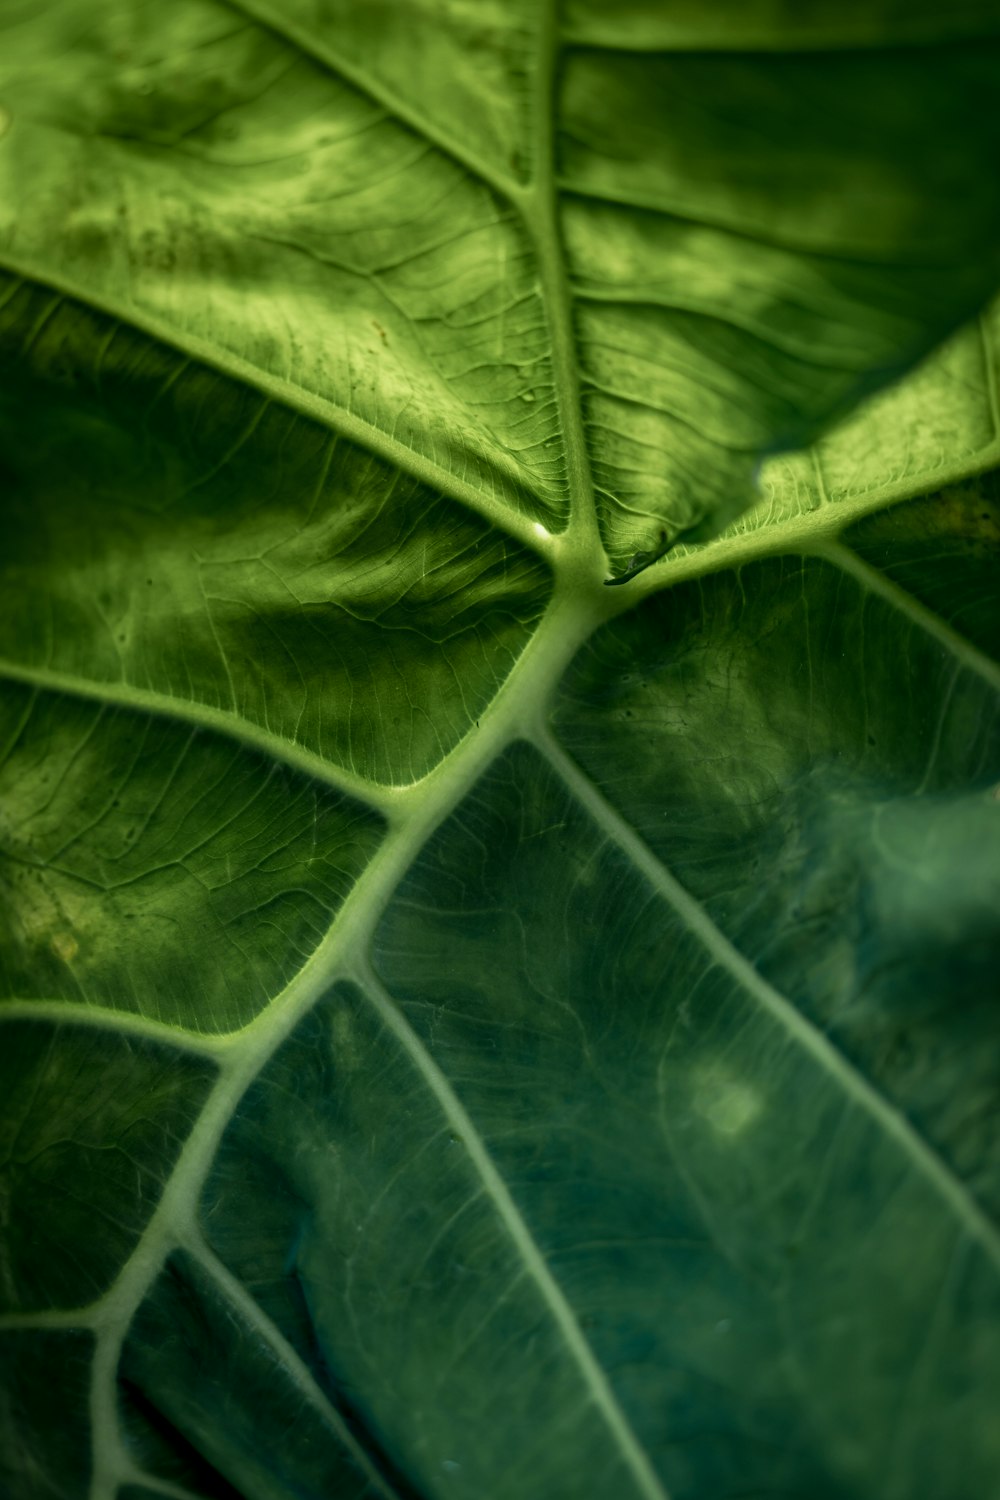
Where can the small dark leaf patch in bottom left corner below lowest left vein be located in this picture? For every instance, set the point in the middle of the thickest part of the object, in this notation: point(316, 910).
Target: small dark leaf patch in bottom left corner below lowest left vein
point(44, 1372)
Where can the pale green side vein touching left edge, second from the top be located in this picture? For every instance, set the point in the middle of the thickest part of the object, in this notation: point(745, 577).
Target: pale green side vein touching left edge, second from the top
point(218, 721)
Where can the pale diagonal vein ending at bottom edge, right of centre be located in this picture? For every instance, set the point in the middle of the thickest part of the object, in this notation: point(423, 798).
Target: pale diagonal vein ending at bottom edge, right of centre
point(594, 1379)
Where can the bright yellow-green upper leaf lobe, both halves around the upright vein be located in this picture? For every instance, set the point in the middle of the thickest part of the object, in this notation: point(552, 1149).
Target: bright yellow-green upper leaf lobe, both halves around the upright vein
point(527, 257)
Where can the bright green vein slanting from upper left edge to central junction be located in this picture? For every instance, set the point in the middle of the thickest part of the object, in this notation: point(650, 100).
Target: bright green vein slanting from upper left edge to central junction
point(296, 398)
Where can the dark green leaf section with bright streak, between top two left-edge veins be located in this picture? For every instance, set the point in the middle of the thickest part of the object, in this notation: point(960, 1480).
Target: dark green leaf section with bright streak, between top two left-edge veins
point(176, 532)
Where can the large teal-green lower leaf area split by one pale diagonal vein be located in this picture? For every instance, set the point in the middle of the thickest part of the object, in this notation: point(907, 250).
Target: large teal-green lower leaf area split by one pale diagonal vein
point(596, 1166)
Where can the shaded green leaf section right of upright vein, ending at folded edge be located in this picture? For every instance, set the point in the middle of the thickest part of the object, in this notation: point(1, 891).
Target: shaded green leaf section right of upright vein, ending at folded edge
point(756, 259)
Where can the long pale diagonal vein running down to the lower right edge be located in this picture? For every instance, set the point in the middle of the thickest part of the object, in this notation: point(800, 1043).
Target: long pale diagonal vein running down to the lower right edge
point(722, 952)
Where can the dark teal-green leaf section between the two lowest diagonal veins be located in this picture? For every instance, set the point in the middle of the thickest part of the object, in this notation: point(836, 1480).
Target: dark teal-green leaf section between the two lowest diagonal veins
point(347, 1201)
